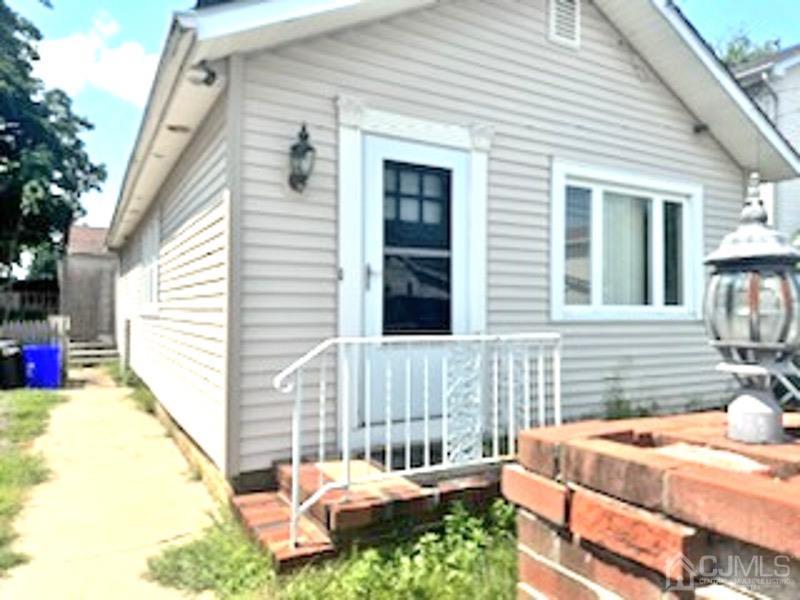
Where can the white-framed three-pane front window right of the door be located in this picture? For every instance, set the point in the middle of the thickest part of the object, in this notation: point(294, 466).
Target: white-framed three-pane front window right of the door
point(622, 245)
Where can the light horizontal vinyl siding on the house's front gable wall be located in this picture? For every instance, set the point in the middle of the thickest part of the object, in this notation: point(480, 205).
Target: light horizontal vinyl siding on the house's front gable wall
point(466, 61)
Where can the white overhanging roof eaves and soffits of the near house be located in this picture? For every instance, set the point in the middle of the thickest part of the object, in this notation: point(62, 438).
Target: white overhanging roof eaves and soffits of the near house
point(183, 93)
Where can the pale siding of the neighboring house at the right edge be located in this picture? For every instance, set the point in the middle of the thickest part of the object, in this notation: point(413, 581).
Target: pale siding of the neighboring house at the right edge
point(787, 196)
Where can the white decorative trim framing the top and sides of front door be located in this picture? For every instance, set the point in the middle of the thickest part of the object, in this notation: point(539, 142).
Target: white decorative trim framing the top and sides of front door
point(355, 120)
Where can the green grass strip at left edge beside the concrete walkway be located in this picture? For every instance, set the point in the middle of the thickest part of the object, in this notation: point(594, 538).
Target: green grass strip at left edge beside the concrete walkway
point(23, 416)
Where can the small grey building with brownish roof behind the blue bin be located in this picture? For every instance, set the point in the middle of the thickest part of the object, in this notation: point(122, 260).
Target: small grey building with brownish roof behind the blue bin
point(87, 278)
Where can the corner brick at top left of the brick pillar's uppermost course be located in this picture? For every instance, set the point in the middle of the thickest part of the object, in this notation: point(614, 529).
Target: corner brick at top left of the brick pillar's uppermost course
point(539, 449)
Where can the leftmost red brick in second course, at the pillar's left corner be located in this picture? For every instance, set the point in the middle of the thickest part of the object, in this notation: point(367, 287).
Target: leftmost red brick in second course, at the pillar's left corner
point(535, 493)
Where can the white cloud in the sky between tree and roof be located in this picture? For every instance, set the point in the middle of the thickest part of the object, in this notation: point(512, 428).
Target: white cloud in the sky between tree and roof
point(91, 59)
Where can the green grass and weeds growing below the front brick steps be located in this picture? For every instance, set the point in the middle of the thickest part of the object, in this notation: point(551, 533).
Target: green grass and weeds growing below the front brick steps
point(469, 556)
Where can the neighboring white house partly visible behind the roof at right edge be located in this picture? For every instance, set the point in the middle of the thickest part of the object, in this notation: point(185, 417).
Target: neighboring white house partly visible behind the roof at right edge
point(773, 82)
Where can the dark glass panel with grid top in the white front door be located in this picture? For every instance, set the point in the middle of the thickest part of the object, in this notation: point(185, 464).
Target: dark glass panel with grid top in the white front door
point(417, 253)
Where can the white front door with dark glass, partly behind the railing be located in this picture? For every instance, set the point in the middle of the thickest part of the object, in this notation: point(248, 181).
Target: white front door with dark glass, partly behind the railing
point(416, 278)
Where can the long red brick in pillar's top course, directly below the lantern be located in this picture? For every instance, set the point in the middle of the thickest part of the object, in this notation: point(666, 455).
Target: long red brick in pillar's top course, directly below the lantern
point(762, 511)
